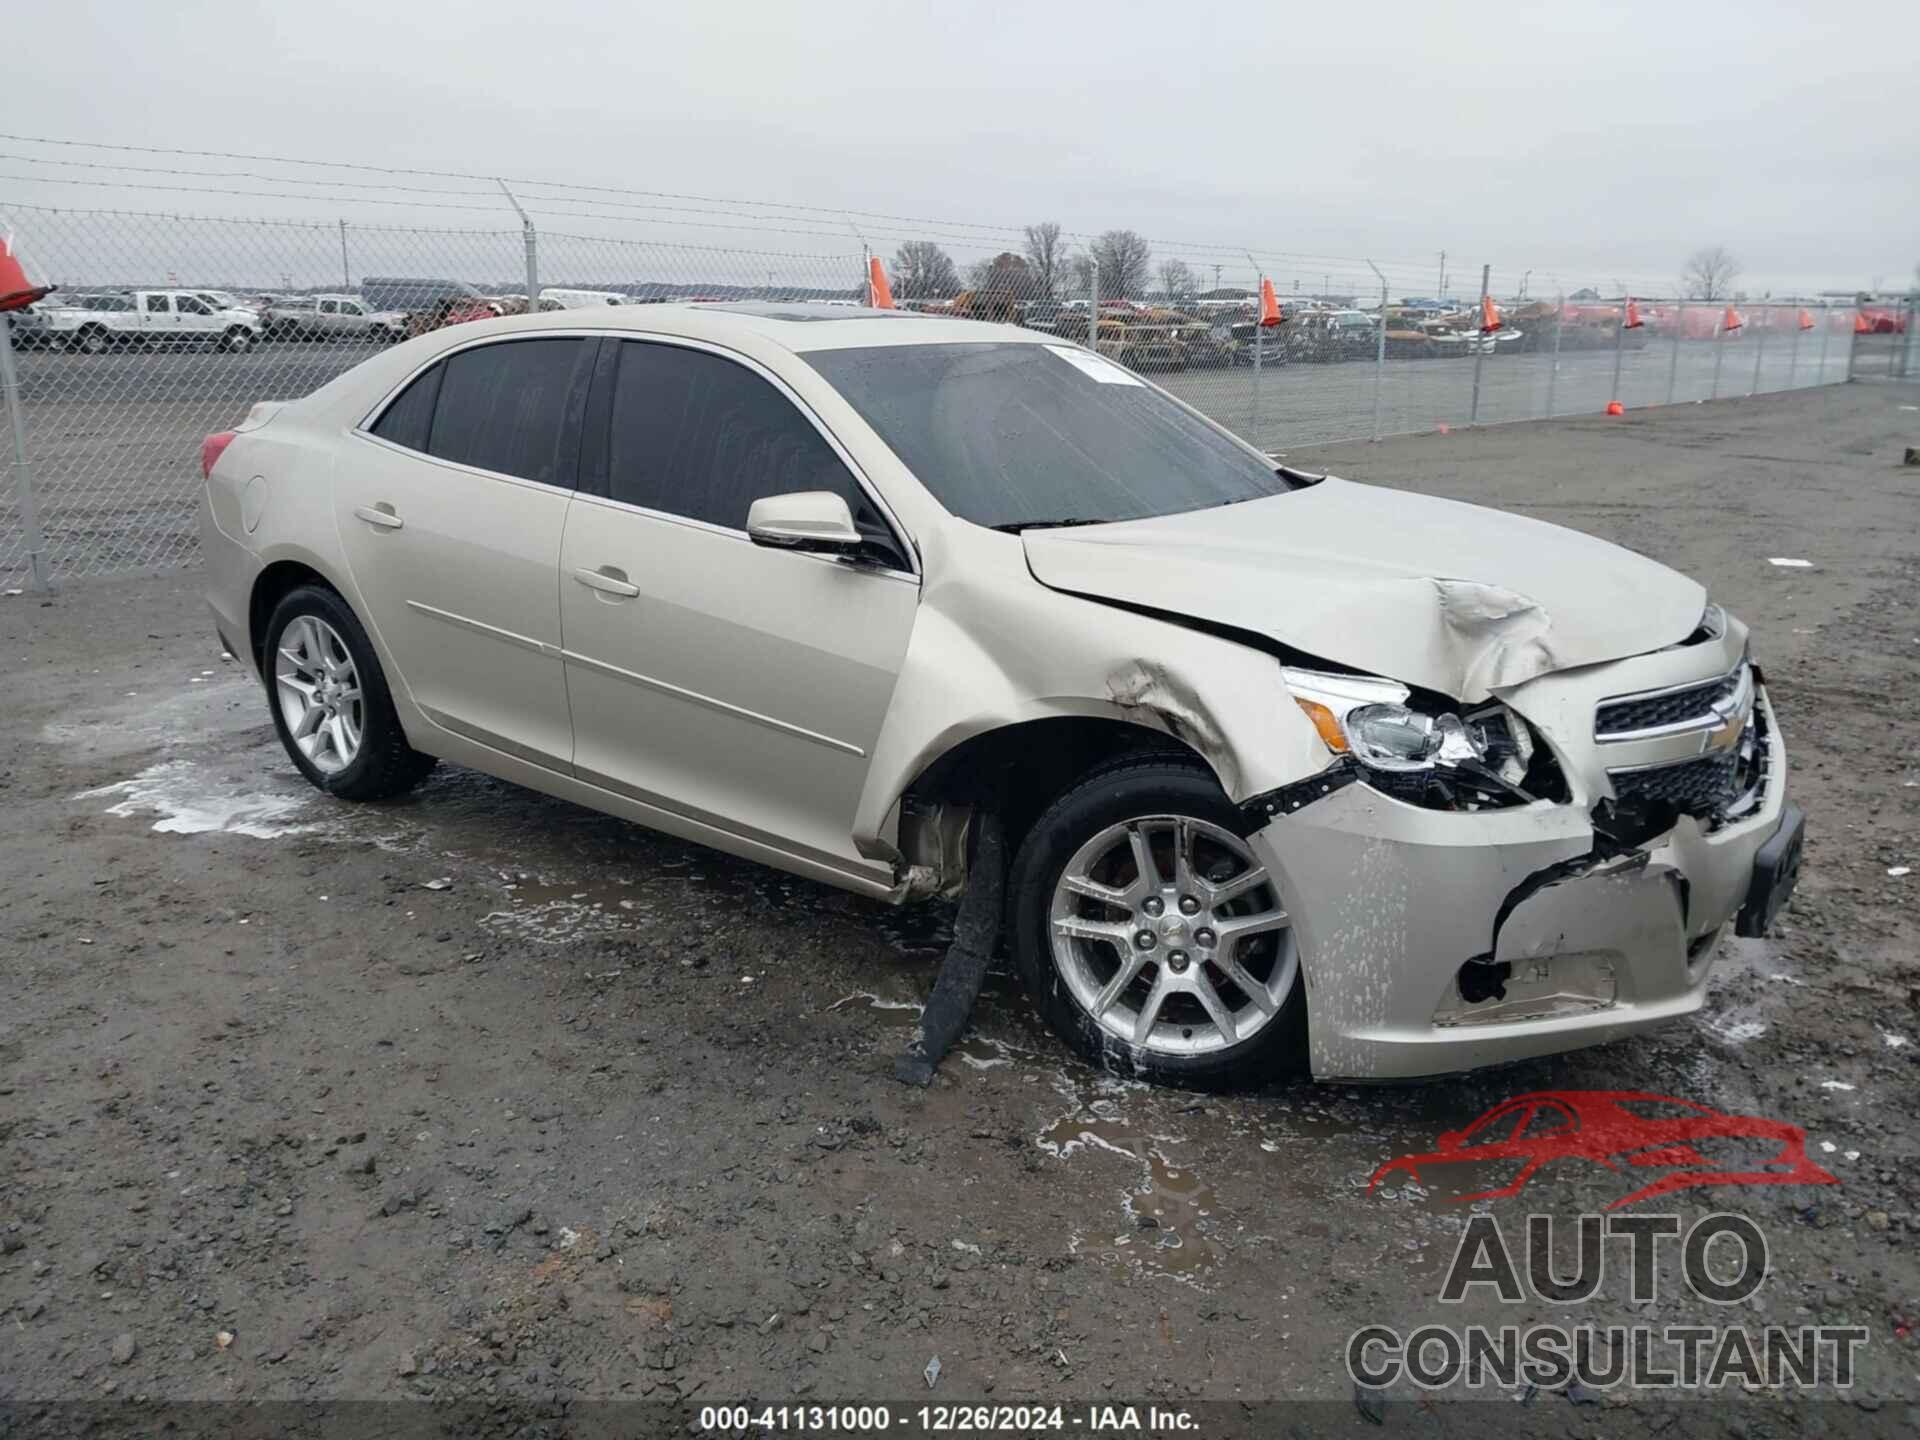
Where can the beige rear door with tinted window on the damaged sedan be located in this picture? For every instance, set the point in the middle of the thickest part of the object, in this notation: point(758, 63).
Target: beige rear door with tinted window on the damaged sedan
point(450, 508)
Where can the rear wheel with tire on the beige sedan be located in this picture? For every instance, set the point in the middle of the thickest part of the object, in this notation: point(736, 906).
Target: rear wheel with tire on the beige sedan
point(331, 704)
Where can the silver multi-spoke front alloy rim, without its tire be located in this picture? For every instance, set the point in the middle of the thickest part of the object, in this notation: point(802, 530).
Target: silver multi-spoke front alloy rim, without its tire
point(1172, 936)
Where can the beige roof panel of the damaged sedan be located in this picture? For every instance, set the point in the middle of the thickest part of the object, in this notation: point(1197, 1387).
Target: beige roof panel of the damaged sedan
point(798, 327)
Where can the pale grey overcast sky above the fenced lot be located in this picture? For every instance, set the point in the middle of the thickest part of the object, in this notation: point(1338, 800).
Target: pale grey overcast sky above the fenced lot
point(1585, 143)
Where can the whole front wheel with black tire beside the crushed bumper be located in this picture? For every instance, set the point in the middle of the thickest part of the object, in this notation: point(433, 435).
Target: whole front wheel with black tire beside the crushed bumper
point(1151, 936)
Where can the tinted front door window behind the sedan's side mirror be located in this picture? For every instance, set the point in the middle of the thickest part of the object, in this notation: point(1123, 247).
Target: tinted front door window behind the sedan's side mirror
point(702, 437)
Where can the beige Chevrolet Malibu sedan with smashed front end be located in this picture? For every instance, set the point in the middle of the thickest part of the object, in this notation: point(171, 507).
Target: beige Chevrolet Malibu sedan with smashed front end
point(1291, 771)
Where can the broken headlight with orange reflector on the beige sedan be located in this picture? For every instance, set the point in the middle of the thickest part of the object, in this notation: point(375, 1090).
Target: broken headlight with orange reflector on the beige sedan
point(1418, 752)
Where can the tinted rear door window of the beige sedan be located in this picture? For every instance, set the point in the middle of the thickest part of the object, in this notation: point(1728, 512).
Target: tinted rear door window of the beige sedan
point(504, 408)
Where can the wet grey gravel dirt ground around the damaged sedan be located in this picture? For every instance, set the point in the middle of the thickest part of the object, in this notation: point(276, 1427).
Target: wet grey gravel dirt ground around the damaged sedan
point(487, 1097)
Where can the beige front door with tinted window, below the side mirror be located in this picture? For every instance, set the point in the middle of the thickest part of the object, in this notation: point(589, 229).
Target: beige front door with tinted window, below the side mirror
point(729, 683)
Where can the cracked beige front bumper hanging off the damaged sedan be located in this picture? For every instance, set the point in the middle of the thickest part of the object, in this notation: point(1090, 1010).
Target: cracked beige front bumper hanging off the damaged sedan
point(1393, 901)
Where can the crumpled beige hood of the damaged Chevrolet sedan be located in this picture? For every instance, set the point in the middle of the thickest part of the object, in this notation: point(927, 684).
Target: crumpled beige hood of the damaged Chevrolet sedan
point(1424, 590)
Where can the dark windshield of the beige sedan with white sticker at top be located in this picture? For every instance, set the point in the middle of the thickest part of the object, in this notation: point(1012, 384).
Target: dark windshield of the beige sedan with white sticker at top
point(1011, 435)
